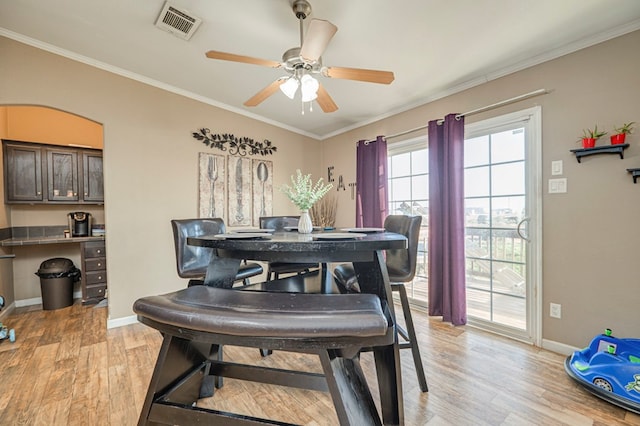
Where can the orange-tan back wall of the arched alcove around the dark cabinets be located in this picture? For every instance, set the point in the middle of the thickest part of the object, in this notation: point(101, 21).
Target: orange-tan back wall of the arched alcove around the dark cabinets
point(41, 125)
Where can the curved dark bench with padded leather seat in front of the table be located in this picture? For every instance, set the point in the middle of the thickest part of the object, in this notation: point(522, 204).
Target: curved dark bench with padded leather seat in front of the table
point(197, 321)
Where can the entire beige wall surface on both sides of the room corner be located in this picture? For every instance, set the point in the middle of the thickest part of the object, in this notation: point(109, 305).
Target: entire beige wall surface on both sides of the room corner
point(589, 234)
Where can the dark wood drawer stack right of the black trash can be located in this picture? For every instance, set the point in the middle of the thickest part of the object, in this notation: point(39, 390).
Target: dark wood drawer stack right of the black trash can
point(94, 271)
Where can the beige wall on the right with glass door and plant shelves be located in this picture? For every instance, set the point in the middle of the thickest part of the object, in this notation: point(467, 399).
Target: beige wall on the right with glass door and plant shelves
point(590, 233)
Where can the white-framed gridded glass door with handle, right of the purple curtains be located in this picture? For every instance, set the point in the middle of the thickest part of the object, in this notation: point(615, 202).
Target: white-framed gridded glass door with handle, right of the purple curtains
point(502, 221)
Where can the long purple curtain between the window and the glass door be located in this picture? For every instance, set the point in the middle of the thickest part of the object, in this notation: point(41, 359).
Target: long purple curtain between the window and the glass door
point(447, 296)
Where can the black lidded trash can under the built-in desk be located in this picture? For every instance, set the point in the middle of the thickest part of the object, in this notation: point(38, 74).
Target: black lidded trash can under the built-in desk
point(57, 276)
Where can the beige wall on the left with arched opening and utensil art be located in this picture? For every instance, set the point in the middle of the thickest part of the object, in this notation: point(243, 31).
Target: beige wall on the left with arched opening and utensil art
point(150, 159)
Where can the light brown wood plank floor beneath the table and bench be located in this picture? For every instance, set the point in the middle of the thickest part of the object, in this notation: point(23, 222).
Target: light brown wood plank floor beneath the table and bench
point(65, 368)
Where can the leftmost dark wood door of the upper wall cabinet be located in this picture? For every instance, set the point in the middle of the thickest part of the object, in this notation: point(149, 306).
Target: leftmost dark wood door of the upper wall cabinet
point(23, 173)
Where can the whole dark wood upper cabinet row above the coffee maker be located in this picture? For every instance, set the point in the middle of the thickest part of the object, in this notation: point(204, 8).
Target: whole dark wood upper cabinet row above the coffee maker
point(67, 175)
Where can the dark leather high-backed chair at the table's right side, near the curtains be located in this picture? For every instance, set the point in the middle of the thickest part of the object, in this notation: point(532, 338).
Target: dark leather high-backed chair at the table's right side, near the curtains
point(401, 266)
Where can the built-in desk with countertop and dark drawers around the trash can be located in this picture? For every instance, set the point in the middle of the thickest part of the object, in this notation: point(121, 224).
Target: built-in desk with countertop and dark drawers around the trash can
point(93, 262)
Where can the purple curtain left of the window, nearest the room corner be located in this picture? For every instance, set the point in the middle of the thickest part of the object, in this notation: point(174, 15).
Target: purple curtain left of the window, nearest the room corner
point(371, 183)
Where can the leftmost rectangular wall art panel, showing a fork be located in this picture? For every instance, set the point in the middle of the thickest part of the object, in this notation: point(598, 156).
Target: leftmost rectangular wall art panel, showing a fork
point(212, 177)
